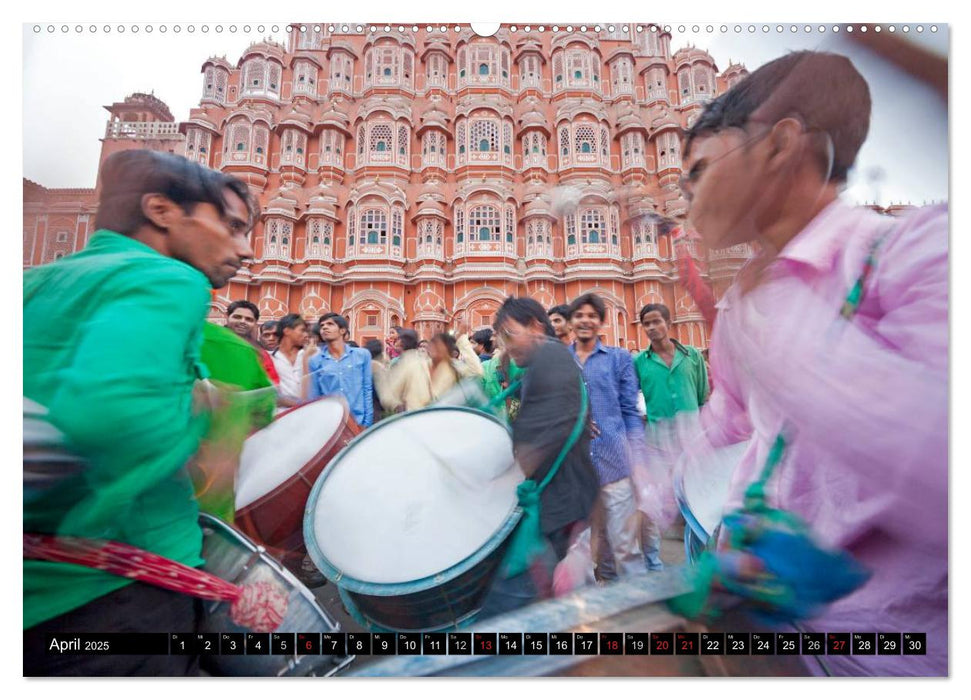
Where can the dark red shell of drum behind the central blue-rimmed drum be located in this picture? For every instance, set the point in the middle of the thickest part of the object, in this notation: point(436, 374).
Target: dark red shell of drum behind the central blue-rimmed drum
point(276, 518)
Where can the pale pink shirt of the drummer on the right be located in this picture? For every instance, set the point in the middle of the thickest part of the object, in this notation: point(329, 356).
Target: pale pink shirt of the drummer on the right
point(865, 404)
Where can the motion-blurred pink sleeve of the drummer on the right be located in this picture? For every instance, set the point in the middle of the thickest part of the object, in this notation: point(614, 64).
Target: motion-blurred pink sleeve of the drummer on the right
point(876, 400)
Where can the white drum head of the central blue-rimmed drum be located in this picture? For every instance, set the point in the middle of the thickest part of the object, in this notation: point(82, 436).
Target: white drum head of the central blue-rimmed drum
point(414, 496)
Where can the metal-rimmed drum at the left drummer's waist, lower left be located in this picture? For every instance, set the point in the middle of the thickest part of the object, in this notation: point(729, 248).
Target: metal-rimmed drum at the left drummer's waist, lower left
point(233, 557)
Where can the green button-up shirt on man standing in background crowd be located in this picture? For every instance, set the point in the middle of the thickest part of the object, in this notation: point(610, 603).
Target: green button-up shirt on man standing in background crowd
point(668, 390)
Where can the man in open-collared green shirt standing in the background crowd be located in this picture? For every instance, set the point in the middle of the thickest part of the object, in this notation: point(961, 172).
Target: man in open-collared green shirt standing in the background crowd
point(672, 376)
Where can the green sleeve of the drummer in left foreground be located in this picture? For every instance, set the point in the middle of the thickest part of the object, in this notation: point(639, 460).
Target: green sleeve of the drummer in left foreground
point(125, 400)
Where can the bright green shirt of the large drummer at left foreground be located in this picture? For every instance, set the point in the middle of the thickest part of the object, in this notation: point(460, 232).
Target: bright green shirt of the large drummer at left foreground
point(111, 348)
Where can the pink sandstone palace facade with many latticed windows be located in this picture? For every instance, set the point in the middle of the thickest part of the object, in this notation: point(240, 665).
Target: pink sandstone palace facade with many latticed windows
point(418, 178)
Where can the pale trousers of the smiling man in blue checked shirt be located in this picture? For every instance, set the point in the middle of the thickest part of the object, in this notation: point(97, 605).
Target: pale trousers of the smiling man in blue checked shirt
point(615, 532)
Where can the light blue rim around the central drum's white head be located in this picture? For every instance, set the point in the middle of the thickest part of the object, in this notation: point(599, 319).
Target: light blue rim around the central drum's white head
point(357, 585)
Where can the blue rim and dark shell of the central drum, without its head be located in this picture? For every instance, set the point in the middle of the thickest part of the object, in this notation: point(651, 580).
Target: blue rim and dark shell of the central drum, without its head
point(445, 600)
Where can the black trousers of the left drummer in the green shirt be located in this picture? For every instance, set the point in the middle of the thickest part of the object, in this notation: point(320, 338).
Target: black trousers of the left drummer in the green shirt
point(138, 607)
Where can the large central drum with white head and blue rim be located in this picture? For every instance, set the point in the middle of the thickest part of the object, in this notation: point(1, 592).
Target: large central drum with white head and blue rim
point(412, 519)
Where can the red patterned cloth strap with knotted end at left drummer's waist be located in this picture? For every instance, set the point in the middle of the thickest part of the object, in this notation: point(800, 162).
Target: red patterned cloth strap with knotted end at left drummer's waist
point(260, 606)
